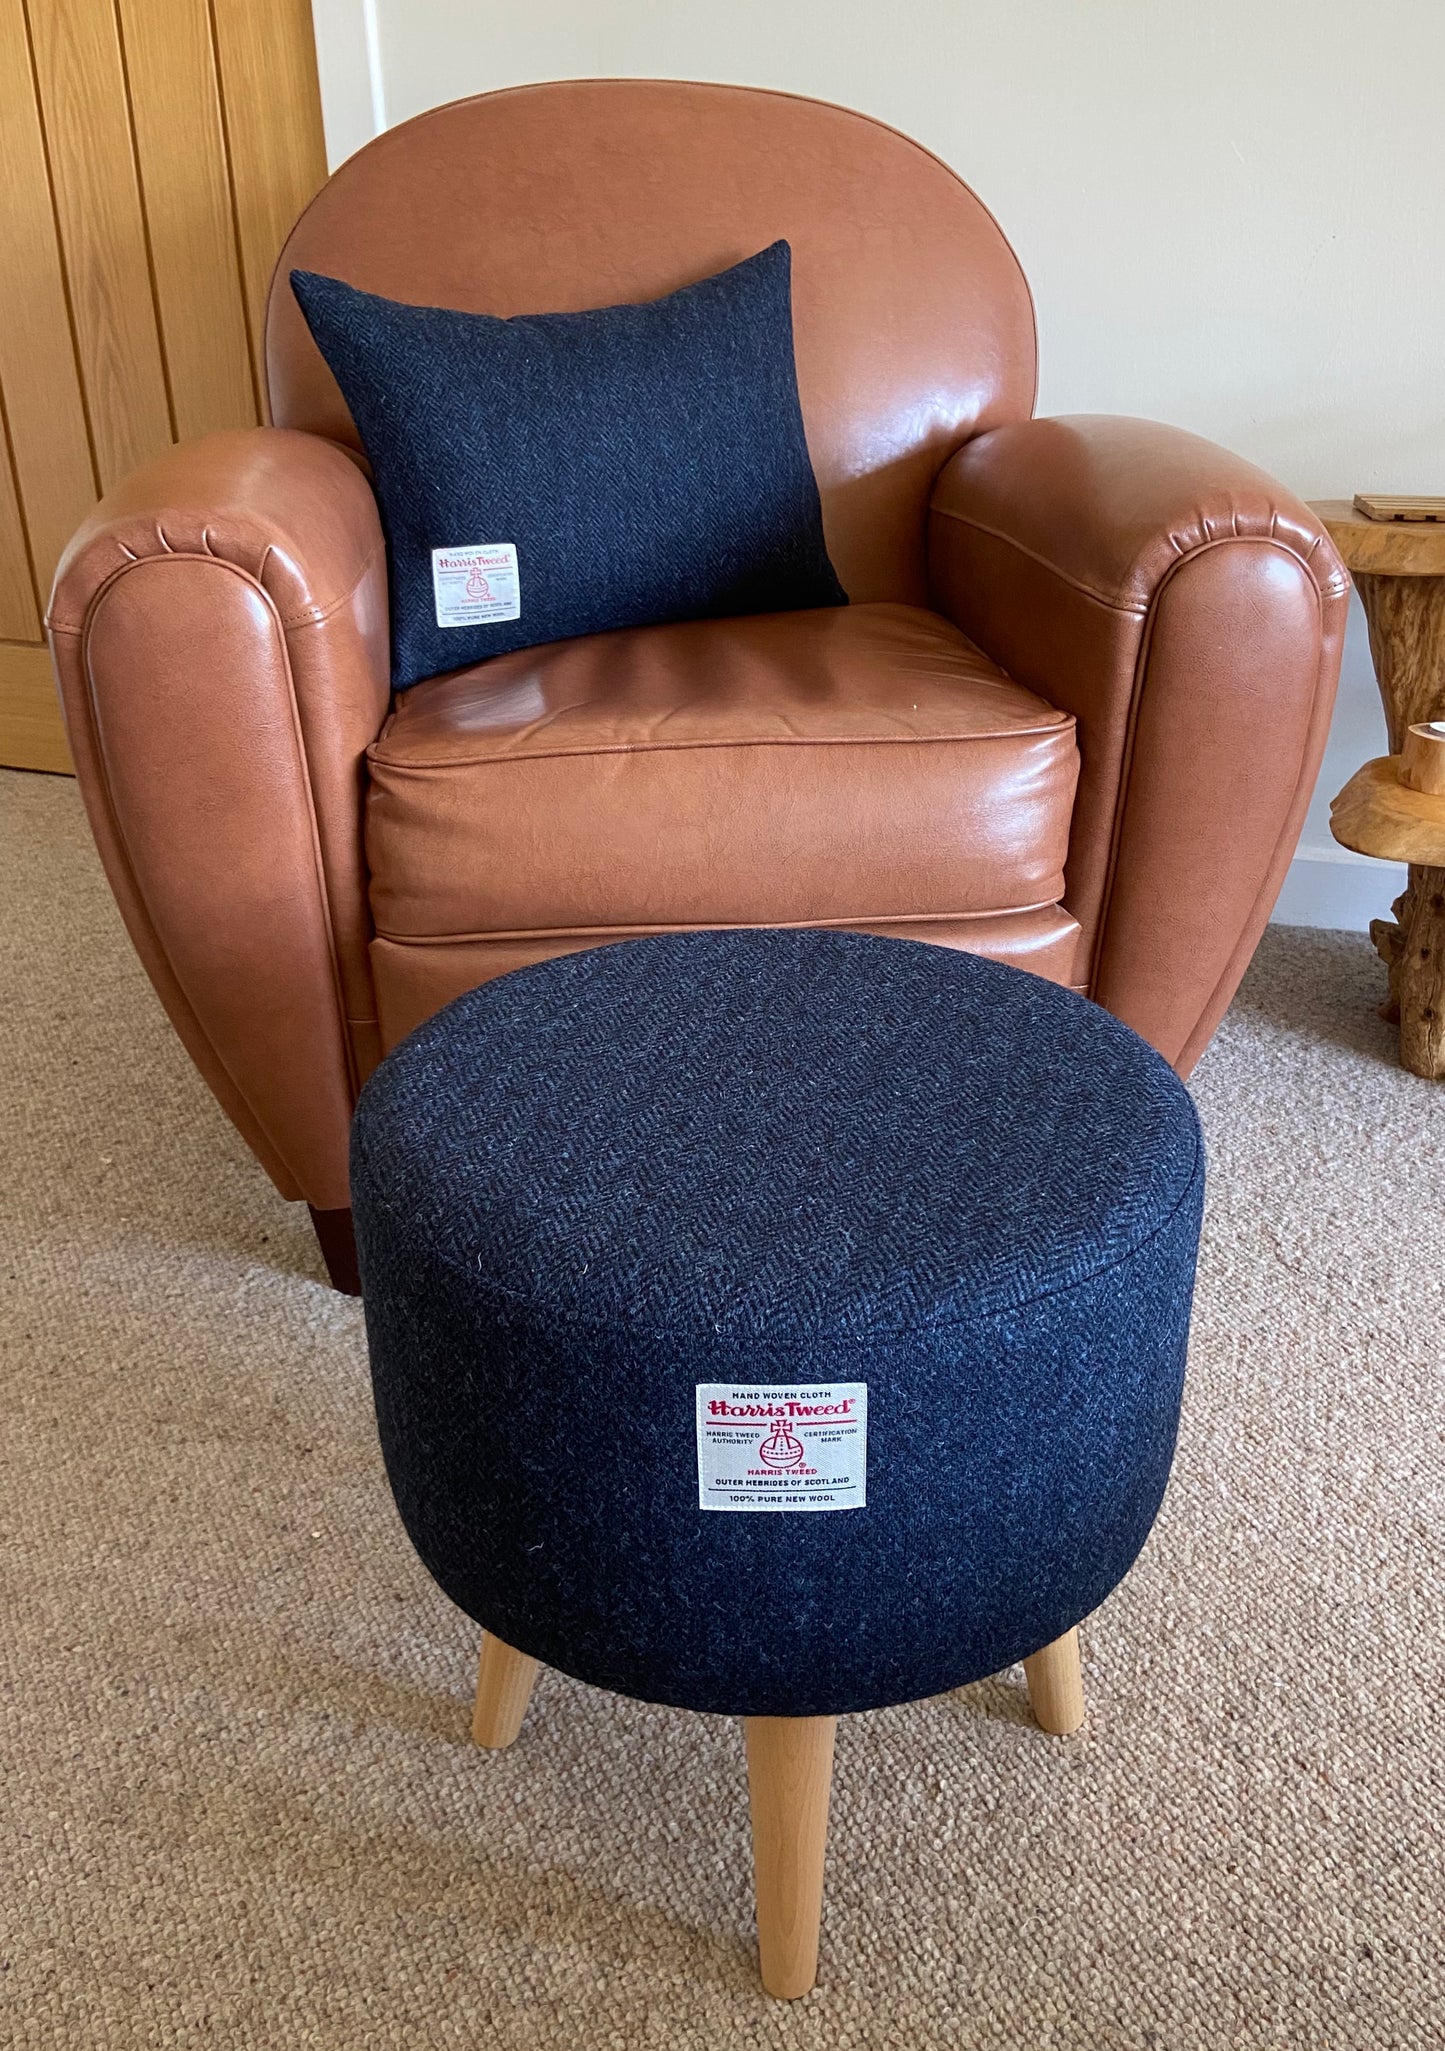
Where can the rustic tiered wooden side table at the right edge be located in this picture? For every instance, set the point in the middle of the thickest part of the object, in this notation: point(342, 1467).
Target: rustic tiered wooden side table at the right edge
point(1399, 571)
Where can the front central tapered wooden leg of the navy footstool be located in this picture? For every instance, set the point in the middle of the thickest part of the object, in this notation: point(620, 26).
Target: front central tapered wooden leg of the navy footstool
point(790, 1777)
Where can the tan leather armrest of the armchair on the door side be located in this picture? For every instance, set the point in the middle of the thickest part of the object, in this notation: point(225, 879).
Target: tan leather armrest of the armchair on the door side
point(220, 635)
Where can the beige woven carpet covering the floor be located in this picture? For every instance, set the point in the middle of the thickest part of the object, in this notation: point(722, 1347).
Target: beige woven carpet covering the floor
point(239, 1798)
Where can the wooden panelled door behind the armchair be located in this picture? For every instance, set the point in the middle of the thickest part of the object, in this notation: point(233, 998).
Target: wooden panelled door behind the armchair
point(153, 159)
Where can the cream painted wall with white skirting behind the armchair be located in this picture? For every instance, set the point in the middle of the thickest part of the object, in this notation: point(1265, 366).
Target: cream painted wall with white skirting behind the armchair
point(1231, 214)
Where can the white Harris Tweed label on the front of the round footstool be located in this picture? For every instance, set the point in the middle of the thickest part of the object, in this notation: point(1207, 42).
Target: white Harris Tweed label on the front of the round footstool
point(782, 1449)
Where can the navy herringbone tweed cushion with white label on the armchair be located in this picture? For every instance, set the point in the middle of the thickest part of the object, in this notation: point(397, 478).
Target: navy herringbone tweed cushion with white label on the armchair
point(641, 463)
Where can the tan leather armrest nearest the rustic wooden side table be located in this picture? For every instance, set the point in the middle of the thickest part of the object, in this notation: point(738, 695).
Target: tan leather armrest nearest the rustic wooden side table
point(1190, 614)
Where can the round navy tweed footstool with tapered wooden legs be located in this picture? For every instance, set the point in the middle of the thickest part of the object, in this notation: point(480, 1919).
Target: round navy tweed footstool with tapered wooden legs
point(778, 1326)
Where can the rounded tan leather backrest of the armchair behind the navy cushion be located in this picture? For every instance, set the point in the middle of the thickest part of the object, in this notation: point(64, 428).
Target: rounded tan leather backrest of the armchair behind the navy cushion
point(913, 319)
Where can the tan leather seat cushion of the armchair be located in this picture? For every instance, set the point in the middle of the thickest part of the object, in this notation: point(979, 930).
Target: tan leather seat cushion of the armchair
point(858, 764)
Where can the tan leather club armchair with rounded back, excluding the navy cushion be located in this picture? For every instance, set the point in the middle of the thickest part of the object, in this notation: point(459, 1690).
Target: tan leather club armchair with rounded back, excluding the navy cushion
point(1071, 717)
